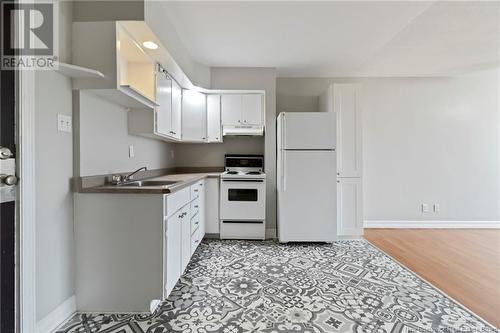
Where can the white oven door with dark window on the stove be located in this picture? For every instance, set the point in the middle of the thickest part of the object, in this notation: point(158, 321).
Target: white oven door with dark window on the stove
point(243, 199)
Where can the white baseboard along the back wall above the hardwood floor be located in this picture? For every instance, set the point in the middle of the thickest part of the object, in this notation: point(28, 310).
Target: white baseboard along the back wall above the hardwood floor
point(435, 224)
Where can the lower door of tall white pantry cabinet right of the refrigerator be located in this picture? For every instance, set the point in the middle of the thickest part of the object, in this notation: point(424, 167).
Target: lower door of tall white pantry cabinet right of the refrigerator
point(349, 207)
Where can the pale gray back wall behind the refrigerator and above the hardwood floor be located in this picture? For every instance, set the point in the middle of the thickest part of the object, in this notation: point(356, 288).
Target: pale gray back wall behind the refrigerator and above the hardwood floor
point(425, 140)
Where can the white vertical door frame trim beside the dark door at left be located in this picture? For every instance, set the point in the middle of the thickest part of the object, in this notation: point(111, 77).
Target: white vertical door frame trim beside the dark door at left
point(26, 199)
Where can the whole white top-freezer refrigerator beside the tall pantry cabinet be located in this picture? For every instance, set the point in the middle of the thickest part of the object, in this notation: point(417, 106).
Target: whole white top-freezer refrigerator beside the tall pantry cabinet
point(306, 177)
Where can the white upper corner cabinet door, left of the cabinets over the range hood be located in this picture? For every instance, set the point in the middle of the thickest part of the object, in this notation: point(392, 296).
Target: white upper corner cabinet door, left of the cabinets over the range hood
point(194, 116)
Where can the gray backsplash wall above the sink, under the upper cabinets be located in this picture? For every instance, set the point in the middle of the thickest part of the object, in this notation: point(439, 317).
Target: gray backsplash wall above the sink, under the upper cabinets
point(104, 140)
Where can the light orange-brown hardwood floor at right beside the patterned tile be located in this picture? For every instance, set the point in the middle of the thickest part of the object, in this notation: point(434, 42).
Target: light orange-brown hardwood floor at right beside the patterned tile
point(465, 264)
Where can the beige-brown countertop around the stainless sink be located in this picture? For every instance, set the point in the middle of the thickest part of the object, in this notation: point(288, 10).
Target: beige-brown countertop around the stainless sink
point(183, 179)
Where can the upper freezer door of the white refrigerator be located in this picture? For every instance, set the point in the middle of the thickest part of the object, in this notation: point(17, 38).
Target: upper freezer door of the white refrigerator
point(306, 130)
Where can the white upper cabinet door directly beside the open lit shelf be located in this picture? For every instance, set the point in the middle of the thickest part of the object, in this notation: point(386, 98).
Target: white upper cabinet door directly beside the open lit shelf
point(164, 99)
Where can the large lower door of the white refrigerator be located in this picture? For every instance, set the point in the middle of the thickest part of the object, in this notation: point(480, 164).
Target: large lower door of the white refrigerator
point(307, 196)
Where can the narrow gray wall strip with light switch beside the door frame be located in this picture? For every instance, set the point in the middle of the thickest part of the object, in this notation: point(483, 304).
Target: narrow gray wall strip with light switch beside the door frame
point(54, 169)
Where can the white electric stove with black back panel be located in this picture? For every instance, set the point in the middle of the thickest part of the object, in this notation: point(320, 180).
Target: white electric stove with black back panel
point(243, 198)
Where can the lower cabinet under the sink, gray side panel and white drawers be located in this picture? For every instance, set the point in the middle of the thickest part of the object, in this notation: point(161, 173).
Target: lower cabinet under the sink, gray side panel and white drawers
point(131, 249)
